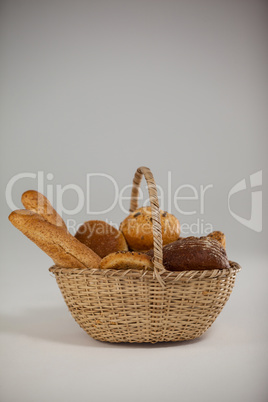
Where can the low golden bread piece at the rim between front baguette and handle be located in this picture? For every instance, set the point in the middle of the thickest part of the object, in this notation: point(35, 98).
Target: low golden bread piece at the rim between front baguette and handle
point(126, 260)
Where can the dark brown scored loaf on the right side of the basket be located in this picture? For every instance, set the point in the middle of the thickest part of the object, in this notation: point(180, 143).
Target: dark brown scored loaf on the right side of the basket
point(192, 253)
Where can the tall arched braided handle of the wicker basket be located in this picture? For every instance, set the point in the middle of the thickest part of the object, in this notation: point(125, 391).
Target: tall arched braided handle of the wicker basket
point(157, 230)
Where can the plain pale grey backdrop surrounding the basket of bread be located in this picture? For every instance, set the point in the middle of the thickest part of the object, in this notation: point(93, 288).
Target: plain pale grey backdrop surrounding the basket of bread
point(105, 87)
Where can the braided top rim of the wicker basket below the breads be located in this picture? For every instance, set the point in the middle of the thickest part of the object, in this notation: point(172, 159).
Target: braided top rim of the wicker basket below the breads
point(137, 274)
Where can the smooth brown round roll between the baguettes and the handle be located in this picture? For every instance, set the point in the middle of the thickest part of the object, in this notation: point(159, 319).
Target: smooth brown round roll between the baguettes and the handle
point(101, 237)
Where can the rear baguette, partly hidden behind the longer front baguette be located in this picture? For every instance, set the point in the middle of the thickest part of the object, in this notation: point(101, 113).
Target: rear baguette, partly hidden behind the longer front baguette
point(37, 202)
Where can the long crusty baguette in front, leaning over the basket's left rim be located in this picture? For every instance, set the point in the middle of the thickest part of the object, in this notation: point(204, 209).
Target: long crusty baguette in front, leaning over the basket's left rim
point(61, 246)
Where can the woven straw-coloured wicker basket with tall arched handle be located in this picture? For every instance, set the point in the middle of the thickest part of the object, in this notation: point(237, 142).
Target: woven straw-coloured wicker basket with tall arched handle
point(145, 306)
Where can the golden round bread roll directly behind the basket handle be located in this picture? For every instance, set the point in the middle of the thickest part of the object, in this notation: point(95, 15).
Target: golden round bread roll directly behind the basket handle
point(138, 229)
